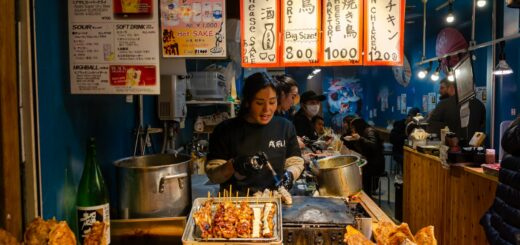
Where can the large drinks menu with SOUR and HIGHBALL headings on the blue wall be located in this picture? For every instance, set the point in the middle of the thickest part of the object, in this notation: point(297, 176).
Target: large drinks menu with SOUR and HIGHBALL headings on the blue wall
point(113, 47)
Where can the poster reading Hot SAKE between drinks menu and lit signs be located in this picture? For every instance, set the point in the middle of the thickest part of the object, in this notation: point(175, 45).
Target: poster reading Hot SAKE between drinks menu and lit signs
point(193, 28)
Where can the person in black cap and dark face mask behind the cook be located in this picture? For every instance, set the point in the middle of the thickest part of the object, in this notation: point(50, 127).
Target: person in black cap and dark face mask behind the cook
point(310, 106)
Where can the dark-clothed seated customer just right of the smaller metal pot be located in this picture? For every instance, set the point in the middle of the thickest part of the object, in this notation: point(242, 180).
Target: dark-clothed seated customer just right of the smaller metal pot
point(367, 142)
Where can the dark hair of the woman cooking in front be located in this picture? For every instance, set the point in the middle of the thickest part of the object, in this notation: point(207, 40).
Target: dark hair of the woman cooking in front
point(252, 85)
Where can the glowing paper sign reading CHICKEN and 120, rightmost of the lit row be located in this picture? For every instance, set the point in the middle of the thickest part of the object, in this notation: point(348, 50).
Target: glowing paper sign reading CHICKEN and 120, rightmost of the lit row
point(384, 32)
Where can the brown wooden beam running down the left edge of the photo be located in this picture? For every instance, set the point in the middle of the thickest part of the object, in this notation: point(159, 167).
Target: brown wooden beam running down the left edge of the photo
point(10, 180)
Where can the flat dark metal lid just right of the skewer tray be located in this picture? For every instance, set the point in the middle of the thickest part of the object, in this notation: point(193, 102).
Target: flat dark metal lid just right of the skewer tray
point(317, 210)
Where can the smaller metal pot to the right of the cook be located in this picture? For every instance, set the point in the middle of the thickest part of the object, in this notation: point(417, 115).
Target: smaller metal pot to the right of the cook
point(339, 175)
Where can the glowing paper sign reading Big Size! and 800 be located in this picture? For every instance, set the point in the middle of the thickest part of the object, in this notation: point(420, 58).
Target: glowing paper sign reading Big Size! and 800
point(300, 32)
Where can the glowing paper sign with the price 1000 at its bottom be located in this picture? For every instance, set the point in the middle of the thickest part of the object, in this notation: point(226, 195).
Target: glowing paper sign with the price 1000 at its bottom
point(342, 32)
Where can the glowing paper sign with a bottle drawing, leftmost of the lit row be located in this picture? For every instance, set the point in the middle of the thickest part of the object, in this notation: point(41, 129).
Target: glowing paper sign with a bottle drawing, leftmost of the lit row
point(259, 28)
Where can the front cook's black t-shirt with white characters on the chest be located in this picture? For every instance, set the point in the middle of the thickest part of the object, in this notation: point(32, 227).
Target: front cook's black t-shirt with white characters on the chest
point(236, 137)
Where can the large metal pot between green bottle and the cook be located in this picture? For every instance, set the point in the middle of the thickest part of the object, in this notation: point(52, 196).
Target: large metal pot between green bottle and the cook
point(154, 186)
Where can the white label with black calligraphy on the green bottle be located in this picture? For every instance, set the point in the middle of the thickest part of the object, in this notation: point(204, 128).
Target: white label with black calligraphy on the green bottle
point(87, 216)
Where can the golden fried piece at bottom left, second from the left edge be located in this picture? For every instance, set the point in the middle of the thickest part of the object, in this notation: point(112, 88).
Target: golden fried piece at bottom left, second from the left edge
point(38, 231)
